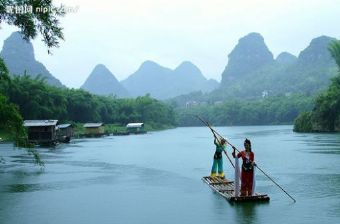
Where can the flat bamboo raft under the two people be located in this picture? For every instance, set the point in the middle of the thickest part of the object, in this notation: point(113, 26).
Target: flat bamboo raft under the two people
point(225, 188)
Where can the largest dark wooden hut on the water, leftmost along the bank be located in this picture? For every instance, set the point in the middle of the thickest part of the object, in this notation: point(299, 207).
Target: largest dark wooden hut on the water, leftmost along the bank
point(42, 132)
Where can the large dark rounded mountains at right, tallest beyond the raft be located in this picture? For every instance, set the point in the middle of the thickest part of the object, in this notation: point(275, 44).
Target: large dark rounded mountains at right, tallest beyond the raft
point(253, 72)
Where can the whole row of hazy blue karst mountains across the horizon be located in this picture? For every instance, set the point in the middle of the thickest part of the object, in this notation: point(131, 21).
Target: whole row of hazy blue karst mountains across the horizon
point(252, 72)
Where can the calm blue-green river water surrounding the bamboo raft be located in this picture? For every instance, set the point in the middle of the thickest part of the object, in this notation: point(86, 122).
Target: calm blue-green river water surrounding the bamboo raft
point(156, 178)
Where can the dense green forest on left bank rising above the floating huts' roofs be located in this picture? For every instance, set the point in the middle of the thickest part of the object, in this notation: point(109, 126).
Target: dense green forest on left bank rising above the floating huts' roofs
point(37, 100)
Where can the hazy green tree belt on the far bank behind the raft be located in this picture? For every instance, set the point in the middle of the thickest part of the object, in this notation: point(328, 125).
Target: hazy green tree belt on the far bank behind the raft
point(271, 110)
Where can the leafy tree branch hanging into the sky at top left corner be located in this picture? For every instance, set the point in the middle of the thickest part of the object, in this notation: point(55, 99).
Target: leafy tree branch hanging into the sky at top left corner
point(33, 17)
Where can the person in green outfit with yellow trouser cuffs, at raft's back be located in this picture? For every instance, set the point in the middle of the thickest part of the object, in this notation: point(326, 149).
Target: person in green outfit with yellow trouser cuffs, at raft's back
point(217, 167)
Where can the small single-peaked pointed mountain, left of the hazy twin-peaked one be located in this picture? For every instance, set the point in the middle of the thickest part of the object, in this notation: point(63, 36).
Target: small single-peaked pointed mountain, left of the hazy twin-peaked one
point(102, 82)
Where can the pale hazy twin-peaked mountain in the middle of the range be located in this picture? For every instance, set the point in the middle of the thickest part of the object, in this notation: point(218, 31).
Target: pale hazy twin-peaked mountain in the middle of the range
point(162, 83)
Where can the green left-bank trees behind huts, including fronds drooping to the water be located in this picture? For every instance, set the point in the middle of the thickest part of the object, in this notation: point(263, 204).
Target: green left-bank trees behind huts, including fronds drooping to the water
point(24, 98)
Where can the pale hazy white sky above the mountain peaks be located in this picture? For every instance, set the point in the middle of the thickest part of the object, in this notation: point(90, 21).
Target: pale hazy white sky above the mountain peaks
point(124, 33)
